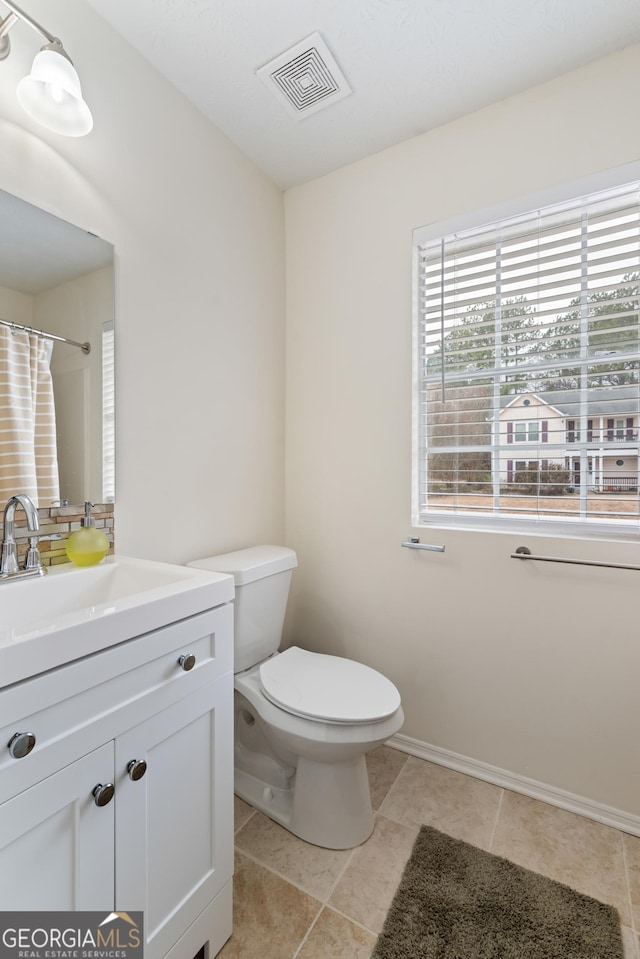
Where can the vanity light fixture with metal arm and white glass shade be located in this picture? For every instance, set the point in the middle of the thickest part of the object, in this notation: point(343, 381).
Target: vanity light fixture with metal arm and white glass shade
point(51, 93)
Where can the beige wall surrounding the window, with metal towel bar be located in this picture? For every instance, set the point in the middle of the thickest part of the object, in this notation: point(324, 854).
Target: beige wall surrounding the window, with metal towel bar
point(529, 668)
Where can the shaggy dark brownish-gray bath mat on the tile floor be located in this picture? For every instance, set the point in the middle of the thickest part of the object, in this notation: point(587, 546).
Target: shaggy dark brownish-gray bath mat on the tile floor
point(458, 902)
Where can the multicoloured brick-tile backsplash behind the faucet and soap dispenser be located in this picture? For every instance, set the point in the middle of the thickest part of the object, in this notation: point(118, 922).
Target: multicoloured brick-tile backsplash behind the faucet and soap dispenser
point(56, 525)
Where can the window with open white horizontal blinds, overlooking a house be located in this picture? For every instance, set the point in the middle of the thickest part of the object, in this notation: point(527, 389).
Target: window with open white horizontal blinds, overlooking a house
point(528, 344)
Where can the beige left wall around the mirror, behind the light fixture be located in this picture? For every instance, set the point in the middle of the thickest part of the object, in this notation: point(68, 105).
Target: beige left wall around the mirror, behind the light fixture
point(198, 234)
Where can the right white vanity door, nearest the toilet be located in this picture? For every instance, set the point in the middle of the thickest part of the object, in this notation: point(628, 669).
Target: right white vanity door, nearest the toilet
point(174, 836)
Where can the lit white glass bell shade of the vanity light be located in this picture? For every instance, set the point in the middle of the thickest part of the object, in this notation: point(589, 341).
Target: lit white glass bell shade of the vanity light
point(51, 94)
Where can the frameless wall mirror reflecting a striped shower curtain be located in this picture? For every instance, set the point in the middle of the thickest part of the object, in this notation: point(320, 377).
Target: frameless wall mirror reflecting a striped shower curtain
point(55, 279)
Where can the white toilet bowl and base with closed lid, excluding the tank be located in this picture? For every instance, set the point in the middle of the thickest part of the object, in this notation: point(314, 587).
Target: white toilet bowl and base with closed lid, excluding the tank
point(314, 781)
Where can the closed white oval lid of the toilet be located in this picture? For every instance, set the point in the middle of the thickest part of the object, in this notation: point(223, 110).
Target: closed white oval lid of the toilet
point(329, 688)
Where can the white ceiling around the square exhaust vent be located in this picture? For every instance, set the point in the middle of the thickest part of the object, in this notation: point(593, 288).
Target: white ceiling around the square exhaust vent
point(412, 64)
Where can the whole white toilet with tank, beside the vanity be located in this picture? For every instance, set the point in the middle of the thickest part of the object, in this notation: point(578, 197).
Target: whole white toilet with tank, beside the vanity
point(303, 721)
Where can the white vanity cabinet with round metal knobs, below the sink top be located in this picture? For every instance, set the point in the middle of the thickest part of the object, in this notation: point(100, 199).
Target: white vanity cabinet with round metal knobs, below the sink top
point(150, 719)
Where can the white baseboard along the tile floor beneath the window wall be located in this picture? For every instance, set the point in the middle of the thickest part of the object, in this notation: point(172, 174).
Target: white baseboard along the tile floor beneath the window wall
point(617, 818)
